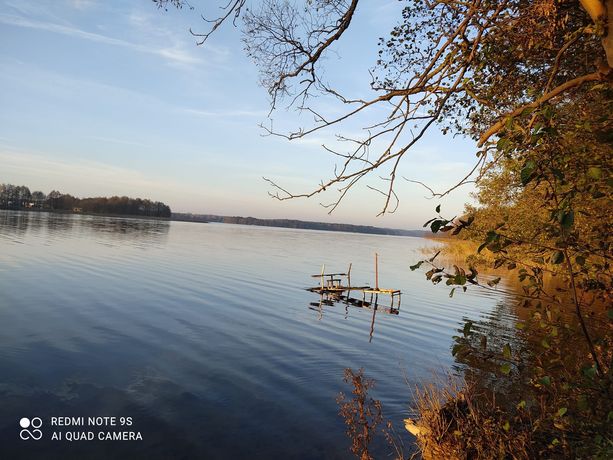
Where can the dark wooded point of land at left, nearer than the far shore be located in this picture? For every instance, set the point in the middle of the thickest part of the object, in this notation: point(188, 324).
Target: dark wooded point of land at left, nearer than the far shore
point(20, 197)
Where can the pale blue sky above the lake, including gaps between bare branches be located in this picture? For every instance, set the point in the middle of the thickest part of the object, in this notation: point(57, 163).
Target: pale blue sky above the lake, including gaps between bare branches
point(102, 98)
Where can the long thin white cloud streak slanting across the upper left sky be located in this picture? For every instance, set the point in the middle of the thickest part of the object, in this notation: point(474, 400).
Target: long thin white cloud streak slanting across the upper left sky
point(174, 54)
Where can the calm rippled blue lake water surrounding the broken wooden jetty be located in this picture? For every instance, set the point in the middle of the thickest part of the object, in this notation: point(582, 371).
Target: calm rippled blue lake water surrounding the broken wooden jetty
point(205, 336)
